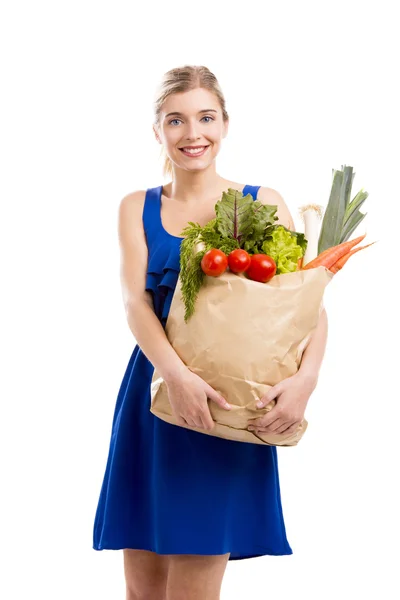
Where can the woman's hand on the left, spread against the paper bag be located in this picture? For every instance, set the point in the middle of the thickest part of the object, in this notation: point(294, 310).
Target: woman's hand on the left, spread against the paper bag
point(188, 394)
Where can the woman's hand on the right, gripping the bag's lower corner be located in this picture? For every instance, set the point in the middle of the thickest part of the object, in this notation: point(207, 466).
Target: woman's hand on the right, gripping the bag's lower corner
point(292, 395)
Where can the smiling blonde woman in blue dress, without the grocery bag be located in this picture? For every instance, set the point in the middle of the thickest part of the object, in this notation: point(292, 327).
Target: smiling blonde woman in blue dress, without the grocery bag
point(178, 502)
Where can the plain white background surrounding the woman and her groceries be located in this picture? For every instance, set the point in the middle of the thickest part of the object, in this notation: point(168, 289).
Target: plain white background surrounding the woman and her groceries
point(309, 86)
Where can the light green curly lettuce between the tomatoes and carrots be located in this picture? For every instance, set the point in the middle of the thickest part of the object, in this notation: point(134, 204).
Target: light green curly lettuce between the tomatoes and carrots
point(285, 247)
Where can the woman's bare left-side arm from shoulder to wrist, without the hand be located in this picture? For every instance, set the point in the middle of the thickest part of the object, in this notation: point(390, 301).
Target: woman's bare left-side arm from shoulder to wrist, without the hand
point(138, 303)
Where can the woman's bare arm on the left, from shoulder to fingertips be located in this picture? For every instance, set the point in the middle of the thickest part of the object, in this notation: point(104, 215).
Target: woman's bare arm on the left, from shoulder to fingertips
point(187, 392)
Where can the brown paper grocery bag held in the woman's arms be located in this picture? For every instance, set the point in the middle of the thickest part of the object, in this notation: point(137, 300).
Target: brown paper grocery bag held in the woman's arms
point(243, 338)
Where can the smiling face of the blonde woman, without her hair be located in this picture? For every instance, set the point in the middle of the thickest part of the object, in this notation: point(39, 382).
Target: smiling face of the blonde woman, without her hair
point(199, 123)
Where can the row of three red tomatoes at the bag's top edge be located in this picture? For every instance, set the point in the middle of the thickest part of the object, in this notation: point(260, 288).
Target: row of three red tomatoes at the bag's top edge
point(258, 267)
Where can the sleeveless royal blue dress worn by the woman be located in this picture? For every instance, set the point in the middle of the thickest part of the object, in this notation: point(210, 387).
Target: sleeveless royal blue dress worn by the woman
point(172, 490)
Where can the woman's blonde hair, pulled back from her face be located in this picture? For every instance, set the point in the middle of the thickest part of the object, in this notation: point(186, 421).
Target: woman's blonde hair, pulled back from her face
point(183, 79)
